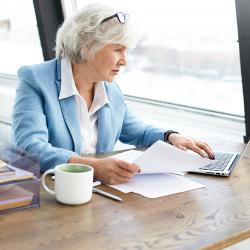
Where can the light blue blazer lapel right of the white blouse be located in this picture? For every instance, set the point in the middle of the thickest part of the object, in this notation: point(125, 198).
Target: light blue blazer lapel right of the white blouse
point(104, 129)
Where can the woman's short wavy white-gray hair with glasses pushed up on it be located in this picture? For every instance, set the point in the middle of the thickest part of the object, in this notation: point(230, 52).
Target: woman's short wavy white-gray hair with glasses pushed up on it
point(83, 34)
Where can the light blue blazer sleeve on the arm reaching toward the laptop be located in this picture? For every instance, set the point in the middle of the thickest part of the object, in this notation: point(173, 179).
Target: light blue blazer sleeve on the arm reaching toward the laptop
point(136, 132)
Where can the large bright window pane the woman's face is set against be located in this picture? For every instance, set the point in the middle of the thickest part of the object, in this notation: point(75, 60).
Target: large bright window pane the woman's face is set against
point(188, 53)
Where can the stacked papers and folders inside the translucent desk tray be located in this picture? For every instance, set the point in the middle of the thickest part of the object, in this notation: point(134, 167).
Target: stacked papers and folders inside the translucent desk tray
point(14, 191)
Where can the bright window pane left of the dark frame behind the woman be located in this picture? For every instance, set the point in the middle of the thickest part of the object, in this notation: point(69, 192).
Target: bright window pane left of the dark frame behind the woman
point(19, 40)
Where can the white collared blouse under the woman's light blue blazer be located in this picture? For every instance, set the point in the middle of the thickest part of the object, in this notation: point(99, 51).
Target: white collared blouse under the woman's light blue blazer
point(87, 119)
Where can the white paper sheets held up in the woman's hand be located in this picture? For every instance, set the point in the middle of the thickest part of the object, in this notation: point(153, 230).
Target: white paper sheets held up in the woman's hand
point(162, 158)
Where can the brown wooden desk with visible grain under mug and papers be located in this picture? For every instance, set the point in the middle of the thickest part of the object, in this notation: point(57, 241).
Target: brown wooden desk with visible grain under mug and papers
point(210, 218)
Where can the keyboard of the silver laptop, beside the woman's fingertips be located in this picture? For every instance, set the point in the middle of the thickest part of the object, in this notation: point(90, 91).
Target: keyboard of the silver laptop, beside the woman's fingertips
point(221, 161)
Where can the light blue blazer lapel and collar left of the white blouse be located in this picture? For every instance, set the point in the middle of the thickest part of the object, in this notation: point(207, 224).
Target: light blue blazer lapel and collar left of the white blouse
point(69, 113)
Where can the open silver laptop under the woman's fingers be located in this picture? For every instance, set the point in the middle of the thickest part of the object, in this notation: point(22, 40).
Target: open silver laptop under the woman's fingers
point(223, 165)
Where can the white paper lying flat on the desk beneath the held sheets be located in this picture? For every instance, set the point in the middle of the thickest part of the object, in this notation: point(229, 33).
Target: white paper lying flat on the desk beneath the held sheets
point(157, 185)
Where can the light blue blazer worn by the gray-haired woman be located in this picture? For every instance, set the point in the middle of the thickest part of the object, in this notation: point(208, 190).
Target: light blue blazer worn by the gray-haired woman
point(49, 127)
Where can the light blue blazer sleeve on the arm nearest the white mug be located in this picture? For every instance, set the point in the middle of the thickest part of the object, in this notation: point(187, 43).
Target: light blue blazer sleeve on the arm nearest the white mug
point(30, 131)
